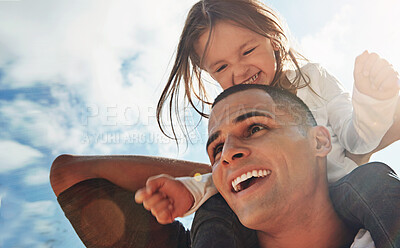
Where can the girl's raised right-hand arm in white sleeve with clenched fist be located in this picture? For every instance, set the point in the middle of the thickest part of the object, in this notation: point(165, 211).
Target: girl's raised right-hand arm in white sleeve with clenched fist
point(361, 122)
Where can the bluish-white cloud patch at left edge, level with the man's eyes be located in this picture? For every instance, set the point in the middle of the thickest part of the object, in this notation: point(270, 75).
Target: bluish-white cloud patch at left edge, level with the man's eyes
point(42, 125)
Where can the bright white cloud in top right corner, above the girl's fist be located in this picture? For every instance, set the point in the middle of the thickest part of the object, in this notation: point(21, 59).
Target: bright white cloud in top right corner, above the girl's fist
point(359, 25)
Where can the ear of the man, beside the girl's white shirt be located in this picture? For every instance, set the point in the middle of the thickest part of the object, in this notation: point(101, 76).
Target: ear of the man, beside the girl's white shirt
point(321, 139)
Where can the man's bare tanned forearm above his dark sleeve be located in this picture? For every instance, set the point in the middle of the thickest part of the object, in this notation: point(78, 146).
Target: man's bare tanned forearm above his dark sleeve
point(128, 172)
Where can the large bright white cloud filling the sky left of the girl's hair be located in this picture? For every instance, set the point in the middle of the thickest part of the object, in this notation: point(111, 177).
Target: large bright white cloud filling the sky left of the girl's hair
point(83, 47)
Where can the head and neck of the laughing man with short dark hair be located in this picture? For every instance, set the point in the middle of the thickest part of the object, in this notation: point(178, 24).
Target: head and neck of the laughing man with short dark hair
point(269, 163)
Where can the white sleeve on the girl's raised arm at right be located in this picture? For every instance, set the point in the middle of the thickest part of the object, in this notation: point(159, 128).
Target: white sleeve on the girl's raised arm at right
point(359, 123)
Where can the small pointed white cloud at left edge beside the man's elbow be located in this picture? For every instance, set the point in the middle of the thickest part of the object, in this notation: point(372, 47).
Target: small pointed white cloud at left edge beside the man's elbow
point(15, 155)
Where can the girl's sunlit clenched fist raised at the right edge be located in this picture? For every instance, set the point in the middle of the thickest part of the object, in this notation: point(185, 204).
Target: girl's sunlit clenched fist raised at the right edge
point(375, 77)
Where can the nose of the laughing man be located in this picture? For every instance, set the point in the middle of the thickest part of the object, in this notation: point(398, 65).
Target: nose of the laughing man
point(234, 150)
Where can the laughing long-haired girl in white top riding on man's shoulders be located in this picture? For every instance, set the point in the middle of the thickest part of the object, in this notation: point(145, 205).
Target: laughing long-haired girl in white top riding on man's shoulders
point(242, 41)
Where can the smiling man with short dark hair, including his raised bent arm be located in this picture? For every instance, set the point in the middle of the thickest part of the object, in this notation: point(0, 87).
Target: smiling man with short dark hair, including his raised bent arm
point(288, 204)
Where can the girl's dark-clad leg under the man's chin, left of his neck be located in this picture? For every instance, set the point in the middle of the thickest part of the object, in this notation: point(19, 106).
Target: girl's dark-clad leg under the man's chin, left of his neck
point(215, 225)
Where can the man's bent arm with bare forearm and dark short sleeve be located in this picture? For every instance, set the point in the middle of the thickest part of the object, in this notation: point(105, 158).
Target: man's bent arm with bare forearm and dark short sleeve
point(96, 195)
